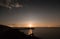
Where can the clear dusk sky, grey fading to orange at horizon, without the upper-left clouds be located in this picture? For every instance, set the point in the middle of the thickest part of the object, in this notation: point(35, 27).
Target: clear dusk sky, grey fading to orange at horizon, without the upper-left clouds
point(40, 13)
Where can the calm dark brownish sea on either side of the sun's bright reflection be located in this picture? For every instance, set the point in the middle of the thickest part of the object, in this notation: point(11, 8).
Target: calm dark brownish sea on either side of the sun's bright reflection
point(46, 33)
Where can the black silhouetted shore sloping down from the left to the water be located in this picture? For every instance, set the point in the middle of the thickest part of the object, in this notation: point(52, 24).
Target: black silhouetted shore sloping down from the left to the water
point(10, 33)
